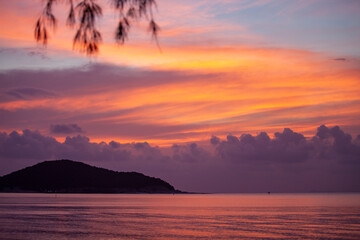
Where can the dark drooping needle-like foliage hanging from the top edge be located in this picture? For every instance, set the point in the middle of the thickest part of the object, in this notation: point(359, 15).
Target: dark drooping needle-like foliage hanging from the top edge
point(83, 14)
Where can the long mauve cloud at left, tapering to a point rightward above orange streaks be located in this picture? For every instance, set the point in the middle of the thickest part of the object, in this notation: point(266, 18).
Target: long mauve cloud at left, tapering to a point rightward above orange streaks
point(46, 83)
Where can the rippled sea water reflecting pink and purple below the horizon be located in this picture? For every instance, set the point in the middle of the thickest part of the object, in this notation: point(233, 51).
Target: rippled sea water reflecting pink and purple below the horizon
point(179, 216)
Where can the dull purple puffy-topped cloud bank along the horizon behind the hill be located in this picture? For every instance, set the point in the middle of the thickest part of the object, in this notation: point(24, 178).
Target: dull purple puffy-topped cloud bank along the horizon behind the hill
point(286, 162)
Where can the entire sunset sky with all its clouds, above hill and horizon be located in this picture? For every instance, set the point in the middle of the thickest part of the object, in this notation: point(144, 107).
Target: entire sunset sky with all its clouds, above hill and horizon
point(240, 95)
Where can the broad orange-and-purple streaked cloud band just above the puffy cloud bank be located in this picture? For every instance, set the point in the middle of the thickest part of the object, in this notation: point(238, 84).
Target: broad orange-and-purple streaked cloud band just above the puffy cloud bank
point(173, 106)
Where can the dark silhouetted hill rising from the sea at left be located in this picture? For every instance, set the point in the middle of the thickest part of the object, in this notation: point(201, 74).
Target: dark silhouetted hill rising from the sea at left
point(75, 177)
